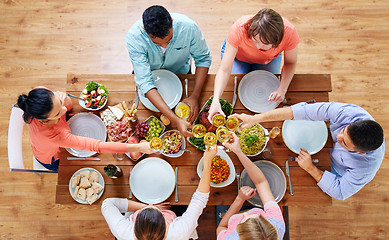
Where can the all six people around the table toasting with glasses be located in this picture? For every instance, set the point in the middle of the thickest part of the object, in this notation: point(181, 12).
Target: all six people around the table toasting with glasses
point(255, 42)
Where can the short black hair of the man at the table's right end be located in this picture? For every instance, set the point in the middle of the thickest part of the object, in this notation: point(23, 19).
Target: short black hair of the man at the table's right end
point(366, 135)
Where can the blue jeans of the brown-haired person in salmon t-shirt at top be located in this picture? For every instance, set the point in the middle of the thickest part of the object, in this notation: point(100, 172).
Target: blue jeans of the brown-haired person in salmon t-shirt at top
point(240, 67)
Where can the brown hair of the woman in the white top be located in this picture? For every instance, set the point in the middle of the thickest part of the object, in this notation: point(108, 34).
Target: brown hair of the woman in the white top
point(150, 225)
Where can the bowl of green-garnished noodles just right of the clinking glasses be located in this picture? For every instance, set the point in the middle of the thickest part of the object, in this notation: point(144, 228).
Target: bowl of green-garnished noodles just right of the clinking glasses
point(253, 140)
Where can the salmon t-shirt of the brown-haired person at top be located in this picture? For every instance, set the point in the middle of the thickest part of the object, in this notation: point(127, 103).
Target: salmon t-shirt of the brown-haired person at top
point(248, 52)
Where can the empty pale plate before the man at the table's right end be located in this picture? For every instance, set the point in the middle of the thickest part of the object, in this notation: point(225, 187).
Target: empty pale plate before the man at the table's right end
point(310, 135)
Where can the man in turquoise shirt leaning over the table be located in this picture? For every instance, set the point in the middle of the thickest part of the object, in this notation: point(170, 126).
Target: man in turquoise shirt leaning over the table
point(164, 41)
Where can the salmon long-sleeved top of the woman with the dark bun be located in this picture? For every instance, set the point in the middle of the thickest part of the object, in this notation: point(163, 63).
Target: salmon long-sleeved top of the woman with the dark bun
point(46, 140)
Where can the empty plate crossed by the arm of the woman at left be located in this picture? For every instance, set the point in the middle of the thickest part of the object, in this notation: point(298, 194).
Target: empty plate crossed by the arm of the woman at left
point(86, 125)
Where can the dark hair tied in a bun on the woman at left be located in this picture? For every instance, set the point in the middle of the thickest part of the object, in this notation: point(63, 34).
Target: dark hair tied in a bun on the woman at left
point(37, 104)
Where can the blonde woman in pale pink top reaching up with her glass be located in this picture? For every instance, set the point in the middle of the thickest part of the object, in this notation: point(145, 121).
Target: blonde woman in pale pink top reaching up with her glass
point(256, 223)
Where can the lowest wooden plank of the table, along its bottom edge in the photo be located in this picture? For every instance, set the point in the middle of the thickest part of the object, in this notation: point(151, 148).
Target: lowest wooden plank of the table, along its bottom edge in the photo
point(304, 195)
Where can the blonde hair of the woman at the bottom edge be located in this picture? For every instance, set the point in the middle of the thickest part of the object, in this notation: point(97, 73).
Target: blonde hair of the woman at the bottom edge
point(257, 228)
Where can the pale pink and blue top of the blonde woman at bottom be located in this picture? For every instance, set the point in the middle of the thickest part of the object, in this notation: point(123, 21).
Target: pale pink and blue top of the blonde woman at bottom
point(271, 211)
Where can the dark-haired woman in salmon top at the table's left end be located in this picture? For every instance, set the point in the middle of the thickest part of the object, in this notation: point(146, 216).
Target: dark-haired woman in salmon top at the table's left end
point(45, 112)
